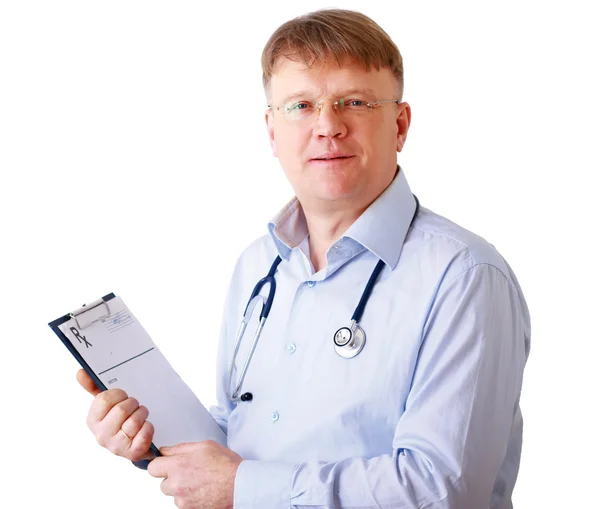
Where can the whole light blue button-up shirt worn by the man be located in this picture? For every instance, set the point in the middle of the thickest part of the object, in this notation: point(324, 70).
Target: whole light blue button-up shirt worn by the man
point(426, 416)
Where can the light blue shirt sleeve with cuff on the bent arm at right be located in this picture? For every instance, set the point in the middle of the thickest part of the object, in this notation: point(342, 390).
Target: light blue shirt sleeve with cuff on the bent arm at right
point(454, 433)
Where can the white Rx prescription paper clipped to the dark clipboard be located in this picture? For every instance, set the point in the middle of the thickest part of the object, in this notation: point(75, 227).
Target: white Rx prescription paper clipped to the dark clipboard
point(122, 354)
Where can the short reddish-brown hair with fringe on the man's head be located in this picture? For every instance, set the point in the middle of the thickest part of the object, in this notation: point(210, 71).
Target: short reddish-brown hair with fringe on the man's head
point(336, 35)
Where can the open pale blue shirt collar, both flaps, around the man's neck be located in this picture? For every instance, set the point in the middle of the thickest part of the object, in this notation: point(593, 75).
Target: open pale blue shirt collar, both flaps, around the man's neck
point(381, 228)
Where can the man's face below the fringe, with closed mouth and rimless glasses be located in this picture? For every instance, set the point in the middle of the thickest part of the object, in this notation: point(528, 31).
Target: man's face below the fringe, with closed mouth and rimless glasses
point(336, 157)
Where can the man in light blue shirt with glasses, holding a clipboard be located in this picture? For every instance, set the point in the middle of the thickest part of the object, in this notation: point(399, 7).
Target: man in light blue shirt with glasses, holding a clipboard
point(424, 412)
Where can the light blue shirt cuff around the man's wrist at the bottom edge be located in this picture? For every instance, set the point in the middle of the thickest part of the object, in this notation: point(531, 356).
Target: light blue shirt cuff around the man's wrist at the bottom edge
point(264, 484)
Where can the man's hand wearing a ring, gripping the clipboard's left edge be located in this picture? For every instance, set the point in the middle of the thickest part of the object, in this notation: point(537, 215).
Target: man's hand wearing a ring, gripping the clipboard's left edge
point(118, 422)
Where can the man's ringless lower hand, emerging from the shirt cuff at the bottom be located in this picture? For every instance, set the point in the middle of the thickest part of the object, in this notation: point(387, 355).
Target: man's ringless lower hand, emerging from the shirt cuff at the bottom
point(198, 475)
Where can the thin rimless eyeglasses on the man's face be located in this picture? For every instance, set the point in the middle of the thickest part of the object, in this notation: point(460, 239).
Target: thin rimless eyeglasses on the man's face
point(307, 110)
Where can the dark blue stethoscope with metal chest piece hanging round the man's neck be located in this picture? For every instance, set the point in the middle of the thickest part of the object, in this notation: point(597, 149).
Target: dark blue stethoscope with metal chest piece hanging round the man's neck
point(347, 341)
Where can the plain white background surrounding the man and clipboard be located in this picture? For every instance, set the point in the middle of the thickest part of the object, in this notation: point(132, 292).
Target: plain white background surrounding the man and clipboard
point(134, 159)
